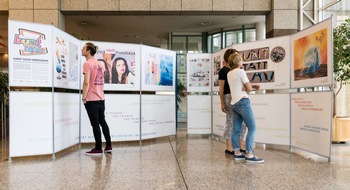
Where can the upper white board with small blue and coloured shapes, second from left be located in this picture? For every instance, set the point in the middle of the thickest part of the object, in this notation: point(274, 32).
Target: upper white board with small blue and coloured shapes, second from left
point(66, 60)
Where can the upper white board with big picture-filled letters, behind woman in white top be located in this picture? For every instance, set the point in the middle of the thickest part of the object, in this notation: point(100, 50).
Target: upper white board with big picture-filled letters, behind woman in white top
point(267, 62)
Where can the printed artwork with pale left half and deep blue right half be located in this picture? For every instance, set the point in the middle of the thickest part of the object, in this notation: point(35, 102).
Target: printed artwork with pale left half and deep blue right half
point(159, 70)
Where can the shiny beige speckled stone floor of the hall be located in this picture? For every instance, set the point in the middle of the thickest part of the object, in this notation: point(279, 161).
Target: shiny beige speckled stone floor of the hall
point(176, 162)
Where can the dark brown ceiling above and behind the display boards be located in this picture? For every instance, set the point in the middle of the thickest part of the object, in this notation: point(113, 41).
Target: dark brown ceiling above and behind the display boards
point(148, 30)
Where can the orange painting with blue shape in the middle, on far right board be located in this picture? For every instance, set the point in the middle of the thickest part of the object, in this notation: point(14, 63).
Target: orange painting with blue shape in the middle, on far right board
point(310, 56)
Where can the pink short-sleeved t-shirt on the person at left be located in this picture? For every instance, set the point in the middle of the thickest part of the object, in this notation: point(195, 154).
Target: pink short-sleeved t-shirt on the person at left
point(95, 91)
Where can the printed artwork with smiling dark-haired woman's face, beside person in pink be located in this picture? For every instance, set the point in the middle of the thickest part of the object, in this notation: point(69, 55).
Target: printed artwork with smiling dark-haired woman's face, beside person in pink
point(119, 65)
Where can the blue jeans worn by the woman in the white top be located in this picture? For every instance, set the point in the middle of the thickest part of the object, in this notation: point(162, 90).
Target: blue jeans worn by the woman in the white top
point(241, 111)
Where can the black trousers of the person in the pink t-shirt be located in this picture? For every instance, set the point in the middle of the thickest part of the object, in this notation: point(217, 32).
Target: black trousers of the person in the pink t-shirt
point(96, 113)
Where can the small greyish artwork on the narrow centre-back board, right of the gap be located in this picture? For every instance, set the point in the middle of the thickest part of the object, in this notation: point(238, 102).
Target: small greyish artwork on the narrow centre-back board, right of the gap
point(199, 72)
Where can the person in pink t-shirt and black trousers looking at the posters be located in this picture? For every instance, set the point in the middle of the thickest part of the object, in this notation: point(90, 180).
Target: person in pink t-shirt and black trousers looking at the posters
point(93, 98)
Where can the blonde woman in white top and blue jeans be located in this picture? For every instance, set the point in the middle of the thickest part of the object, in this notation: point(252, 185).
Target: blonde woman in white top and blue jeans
point(241, 109)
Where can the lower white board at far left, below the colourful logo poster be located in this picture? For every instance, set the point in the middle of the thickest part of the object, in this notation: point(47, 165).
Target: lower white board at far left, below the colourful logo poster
point(30, 123)
